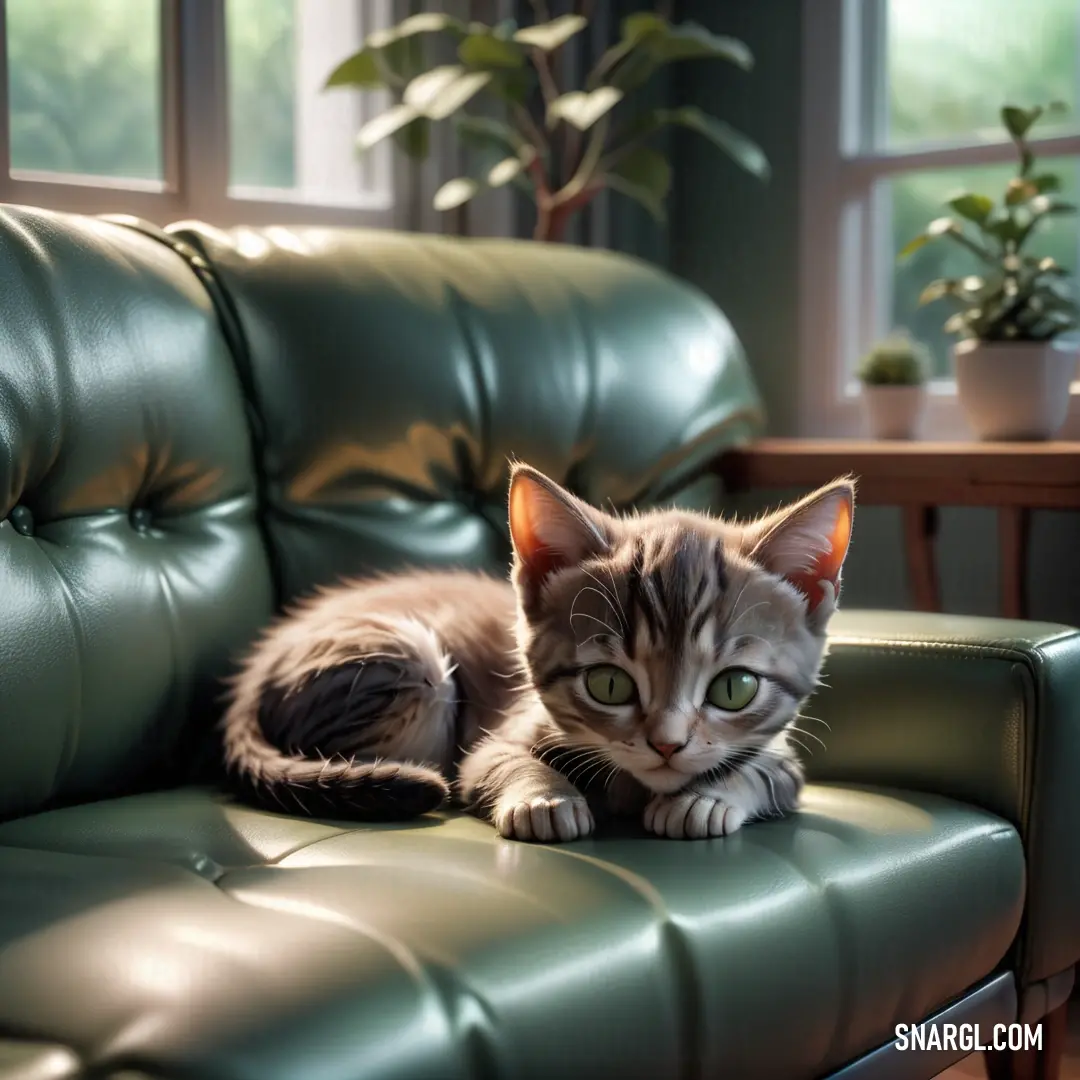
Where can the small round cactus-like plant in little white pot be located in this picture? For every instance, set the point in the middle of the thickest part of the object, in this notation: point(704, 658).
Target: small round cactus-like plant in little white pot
point(894, 375)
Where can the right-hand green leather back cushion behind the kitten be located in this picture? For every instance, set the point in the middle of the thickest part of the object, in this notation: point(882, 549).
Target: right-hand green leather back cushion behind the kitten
point(395, 374)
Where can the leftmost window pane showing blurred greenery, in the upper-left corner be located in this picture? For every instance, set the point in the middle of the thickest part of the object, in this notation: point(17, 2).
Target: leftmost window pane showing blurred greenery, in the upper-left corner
point(86, 87)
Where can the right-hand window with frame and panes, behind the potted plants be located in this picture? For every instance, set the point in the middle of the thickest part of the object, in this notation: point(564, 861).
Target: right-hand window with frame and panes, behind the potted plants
point(901, 113)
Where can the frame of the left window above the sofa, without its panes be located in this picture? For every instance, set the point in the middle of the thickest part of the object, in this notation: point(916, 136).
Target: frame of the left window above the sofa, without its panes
point(196, 146)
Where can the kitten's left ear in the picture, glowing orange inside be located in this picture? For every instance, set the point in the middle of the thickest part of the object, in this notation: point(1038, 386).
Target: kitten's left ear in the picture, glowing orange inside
point(550, 529)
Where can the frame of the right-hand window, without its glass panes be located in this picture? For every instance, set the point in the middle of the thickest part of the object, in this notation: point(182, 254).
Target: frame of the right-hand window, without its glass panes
point(844, 245)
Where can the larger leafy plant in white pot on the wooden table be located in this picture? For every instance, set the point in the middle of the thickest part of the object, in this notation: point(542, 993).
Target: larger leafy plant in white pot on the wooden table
point(1012, 371)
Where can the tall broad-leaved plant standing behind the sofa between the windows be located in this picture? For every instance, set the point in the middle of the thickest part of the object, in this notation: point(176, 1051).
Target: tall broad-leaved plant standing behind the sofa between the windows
point(562, 146)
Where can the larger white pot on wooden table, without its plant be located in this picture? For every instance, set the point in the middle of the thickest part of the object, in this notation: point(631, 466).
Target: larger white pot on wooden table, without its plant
point(1015, 390)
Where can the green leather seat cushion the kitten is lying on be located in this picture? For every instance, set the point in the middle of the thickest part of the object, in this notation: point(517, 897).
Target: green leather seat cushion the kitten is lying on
point(240, 944)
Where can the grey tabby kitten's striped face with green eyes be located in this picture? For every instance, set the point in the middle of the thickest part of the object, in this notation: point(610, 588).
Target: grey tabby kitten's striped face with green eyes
point(672, 643)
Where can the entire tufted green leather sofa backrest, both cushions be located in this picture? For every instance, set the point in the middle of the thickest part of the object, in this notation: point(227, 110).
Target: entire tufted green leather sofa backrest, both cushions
point(172, 400)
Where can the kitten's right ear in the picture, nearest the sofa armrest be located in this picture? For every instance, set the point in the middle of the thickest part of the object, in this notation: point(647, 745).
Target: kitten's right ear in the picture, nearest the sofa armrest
point(808, 542)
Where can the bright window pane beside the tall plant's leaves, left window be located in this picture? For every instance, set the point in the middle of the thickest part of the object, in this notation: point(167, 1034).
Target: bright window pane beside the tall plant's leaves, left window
point(289, 138)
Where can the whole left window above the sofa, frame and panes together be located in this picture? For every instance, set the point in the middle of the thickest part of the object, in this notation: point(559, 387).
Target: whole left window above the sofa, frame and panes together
point(191, 109)
